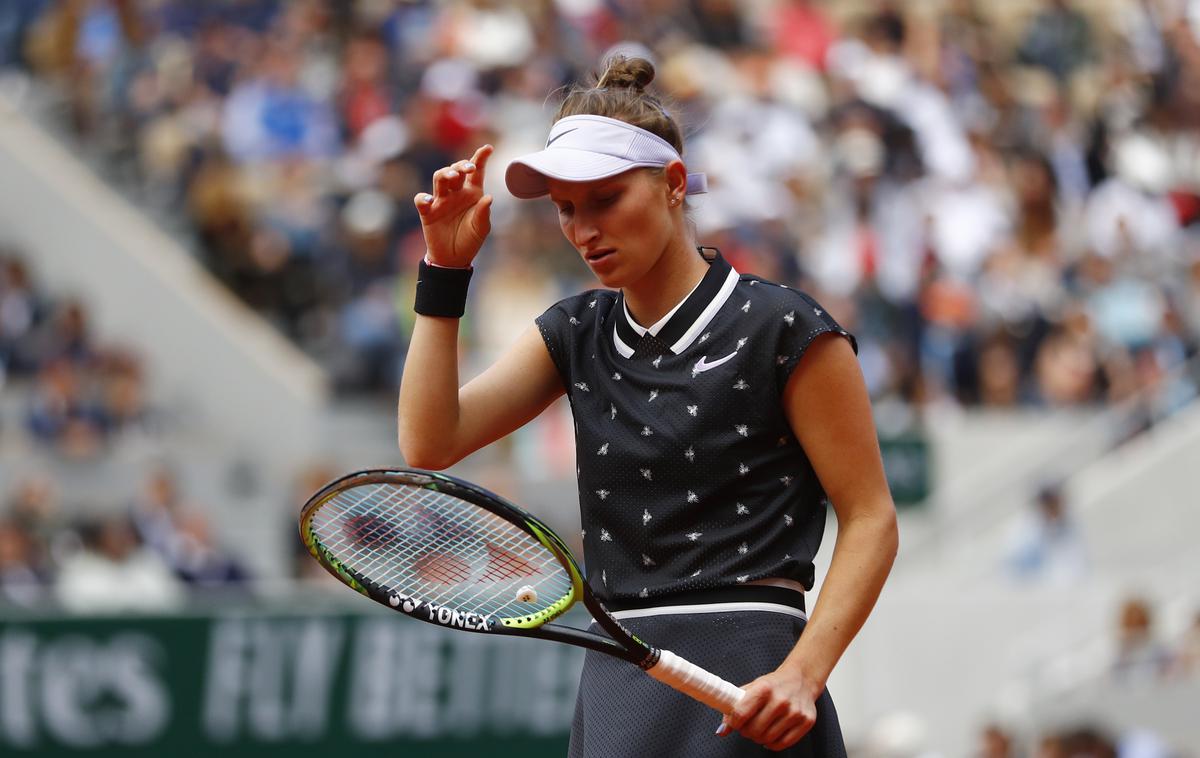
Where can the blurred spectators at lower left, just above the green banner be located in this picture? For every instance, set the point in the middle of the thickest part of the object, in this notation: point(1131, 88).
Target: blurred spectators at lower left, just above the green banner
point(149, 555)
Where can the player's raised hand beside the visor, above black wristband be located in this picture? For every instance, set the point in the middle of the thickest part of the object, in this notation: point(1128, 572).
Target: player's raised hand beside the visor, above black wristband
point(457, 218)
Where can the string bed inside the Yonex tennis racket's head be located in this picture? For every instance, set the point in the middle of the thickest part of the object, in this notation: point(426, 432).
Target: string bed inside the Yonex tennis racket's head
point(442, 550)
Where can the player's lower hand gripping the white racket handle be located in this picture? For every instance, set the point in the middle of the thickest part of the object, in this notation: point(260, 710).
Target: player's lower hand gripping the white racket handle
point(778, 711)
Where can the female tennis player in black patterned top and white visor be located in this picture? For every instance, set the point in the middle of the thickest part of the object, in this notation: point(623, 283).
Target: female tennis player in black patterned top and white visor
point(718, 416)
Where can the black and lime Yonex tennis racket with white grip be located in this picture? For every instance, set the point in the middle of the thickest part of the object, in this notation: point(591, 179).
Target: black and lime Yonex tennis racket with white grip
point(448, 552)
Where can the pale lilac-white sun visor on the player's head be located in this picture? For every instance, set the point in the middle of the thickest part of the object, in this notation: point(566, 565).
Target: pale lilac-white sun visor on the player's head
point(587, 148)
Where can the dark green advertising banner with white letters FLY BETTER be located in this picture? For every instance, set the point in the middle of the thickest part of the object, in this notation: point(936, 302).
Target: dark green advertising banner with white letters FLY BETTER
point(255, 684)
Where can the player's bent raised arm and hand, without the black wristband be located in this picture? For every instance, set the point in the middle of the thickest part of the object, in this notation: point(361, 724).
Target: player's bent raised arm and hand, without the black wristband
point(439, 423)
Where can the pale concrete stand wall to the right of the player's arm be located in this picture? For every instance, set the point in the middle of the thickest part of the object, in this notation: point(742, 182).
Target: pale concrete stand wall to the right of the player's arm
point(957, 643)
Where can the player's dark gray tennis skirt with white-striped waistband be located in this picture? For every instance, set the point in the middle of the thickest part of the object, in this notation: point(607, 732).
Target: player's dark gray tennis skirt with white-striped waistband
point(623, 713)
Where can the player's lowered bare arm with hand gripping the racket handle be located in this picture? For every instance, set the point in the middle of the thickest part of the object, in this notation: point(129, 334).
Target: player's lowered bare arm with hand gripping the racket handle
point(830, 412)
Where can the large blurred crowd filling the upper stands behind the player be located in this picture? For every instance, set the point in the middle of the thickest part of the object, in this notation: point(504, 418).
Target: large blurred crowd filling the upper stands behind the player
point(1001, 200)
